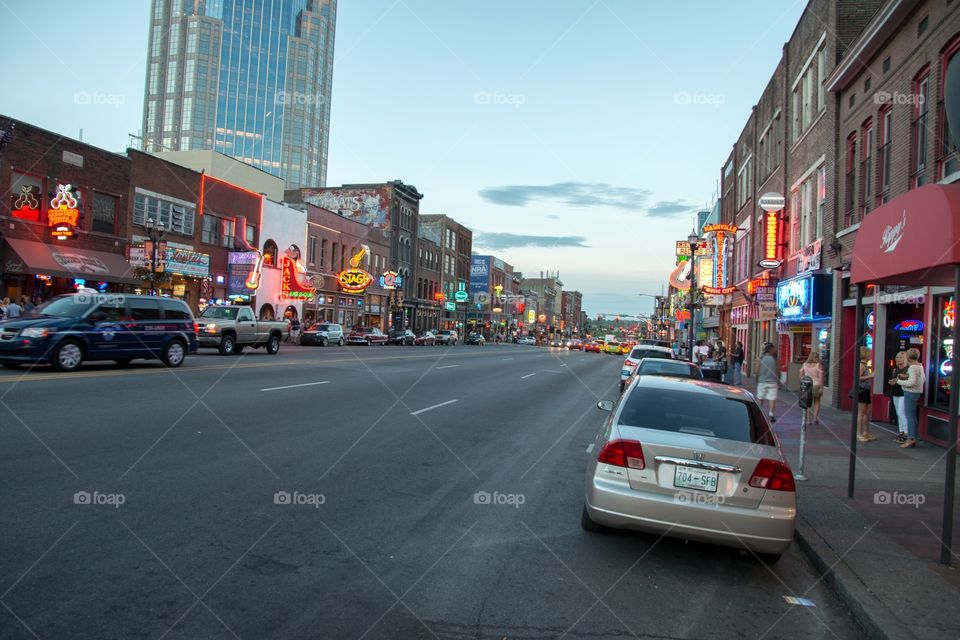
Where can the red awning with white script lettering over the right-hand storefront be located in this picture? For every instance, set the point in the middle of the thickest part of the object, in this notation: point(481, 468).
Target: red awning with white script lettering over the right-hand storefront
point(914, 239)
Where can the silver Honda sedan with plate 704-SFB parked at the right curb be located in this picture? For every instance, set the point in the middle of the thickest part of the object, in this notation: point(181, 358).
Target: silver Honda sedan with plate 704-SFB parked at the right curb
point(695, 460)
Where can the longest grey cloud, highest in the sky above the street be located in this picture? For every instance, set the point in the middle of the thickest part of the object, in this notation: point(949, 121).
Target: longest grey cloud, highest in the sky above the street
point(572, 193)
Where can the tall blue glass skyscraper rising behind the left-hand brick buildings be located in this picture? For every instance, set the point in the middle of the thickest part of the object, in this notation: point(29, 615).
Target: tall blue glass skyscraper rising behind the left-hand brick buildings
point(248, 78)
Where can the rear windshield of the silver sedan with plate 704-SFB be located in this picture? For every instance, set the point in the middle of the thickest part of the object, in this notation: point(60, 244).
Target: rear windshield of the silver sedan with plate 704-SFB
point(702, 414)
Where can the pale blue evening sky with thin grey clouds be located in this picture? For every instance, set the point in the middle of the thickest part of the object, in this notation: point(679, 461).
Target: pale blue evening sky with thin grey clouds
point(572, 136)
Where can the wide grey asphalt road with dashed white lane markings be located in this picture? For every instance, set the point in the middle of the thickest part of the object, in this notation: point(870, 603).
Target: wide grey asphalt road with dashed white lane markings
point(424, 492)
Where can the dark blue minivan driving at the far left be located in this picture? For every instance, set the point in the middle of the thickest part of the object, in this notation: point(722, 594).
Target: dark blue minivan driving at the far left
point(67, 330)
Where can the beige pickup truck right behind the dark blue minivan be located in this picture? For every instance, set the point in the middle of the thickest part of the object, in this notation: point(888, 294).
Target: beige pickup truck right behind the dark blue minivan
point(232, 328)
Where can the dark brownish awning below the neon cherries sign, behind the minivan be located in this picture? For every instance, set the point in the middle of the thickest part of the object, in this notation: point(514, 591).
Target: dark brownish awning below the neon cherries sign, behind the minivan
point(64, 261)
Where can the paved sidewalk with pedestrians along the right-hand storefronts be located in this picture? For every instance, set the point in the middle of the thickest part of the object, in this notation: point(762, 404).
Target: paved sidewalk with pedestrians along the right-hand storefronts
point(880, 551)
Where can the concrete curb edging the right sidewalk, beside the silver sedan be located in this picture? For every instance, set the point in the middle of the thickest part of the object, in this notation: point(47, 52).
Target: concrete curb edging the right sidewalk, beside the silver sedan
point(863, 605)
